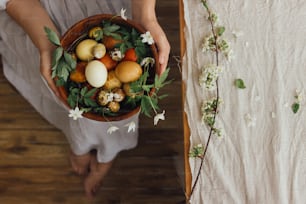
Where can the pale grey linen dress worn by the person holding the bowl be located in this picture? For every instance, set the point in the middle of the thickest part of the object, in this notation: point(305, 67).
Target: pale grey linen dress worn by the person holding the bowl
point(21, 68)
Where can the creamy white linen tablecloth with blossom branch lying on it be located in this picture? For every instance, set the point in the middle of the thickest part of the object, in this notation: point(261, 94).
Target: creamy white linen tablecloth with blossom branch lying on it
point(261, 158)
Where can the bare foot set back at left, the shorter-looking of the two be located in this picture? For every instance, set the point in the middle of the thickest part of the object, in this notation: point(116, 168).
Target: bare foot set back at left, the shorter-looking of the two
point(80, 164)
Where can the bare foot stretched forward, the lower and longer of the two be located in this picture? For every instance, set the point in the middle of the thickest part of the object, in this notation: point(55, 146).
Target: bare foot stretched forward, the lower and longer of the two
point(95, 177)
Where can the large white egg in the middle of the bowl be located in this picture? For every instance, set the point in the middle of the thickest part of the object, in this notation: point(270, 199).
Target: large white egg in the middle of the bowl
point(96, 73)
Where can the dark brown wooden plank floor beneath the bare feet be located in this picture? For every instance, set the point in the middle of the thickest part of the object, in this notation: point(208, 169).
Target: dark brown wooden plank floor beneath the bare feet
point(33, 154)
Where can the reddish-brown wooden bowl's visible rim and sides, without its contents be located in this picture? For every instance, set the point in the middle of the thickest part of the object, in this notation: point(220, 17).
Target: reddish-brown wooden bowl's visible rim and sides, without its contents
point(77, 33)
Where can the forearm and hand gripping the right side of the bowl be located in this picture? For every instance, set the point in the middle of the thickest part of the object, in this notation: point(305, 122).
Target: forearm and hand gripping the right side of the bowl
point(144, 13)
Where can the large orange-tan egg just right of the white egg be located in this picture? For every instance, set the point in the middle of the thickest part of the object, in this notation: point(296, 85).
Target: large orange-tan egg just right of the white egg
point(128, 71)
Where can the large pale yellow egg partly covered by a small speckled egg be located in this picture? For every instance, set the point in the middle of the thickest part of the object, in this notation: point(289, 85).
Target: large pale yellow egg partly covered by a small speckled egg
point(84, 49)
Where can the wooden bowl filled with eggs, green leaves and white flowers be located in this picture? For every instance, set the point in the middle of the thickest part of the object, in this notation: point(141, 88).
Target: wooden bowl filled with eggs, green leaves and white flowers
point(105, 69)
